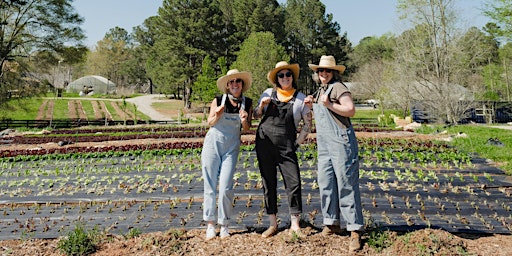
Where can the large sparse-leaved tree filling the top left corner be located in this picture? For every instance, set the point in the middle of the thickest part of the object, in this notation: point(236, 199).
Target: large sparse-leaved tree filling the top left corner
point(29, 27)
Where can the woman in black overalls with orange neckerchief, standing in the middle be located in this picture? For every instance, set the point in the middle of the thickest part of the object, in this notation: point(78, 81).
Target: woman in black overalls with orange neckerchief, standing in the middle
point(281, 108)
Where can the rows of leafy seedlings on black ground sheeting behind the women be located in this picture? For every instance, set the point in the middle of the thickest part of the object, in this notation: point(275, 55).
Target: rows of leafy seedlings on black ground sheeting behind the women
point(405, 183)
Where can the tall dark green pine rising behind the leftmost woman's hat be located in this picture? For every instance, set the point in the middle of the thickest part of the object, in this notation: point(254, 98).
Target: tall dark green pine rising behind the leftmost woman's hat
point(187, 32)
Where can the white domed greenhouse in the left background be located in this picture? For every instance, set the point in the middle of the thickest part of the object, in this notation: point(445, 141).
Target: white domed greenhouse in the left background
point(94, 84)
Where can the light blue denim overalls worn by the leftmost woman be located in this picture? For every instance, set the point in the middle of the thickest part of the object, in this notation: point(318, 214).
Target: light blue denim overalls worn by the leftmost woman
point(218, 159)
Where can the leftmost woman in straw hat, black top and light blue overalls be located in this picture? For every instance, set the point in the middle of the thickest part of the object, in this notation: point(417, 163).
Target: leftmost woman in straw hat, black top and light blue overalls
point(229, 113)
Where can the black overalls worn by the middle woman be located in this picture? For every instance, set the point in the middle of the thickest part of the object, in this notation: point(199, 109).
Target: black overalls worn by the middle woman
point(275, 147)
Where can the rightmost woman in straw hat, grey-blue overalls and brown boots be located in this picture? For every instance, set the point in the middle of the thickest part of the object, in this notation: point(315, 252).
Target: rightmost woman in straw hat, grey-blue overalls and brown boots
point(338, 165)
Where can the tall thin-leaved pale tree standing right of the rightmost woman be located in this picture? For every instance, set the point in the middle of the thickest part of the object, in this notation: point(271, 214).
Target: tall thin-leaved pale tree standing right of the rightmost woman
point(428, 58)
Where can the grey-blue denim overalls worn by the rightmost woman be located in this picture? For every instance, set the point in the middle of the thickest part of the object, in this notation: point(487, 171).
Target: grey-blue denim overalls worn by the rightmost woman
point(338, 170)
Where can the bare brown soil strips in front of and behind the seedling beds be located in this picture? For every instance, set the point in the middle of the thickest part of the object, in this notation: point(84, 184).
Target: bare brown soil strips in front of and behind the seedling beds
point(244, 242)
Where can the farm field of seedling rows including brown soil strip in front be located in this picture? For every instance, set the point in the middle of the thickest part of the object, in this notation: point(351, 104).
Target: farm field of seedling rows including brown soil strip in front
point(411, 184)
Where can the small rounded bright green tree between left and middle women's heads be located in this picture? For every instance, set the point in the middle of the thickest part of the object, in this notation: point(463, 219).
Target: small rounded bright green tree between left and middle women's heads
point(258, 55)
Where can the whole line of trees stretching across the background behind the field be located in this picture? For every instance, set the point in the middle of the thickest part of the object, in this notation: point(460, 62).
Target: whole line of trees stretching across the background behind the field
point(183, 49)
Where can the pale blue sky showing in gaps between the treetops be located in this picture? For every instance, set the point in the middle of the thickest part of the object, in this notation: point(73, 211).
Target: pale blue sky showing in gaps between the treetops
point(359, 18)
